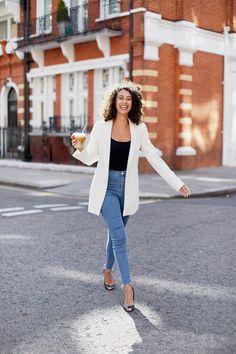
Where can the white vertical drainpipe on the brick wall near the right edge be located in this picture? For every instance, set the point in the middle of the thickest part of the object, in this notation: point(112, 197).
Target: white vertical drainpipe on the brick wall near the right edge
point(226, 115)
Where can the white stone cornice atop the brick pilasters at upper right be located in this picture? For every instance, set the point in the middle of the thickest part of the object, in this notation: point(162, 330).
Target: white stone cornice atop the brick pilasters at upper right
point(183, 35)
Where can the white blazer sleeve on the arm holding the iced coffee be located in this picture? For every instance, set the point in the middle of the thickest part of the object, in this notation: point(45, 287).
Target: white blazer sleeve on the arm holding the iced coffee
point(89, 154)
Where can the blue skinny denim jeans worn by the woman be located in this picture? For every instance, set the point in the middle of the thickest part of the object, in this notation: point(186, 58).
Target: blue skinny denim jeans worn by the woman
point(112, 212)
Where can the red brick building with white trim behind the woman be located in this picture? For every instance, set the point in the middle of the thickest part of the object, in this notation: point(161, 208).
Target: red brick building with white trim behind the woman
point(182, 52)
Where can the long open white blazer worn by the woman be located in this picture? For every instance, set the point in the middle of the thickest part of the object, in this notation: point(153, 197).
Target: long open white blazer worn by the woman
point(98, 150)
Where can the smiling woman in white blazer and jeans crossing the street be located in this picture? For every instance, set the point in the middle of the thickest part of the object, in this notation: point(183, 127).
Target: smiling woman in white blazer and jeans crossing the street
point(114, 144)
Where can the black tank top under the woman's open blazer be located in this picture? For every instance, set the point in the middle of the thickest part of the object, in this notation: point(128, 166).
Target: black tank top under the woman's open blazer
point(119, 154)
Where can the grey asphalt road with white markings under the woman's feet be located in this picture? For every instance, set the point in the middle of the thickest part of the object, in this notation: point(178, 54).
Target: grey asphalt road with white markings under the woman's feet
point(52, 299)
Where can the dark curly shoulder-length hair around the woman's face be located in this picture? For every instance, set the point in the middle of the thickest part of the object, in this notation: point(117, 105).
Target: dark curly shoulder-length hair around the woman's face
point(136, 112)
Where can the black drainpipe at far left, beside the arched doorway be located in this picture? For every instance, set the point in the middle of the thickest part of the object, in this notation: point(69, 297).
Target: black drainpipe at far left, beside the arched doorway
point(27, 154)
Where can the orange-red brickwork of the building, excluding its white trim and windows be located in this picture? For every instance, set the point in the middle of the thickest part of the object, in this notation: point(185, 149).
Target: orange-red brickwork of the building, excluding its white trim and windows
point(160, 80)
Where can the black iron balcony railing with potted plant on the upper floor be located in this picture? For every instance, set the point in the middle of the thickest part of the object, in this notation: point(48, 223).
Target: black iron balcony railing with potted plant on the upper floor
point(80, 20)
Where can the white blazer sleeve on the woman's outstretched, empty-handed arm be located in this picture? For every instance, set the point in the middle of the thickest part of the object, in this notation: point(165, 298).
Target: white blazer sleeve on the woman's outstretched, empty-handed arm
point(151, 154)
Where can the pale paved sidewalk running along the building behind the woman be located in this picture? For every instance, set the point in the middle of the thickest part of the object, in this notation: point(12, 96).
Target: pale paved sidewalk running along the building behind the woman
point(75, 180)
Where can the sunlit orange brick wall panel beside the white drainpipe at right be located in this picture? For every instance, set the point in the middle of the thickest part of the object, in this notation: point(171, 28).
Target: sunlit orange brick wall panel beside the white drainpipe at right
point(207, 108)
